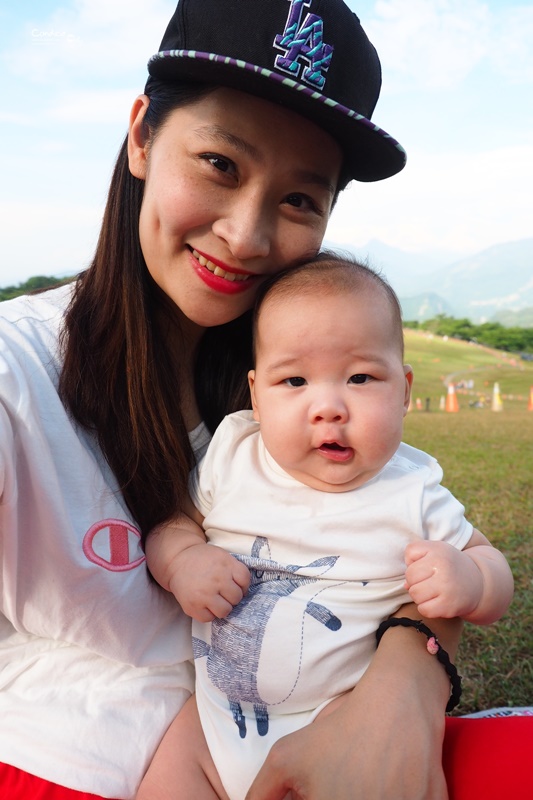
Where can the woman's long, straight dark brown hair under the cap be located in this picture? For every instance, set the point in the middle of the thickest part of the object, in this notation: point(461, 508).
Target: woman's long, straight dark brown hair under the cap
point(120, 379)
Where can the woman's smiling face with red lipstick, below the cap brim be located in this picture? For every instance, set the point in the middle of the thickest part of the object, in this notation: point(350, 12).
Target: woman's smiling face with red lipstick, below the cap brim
point(236, 188)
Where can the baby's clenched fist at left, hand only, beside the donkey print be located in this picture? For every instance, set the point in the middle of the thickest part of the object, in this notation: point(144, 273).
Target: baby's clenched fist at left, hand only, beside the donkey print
point(208, 582)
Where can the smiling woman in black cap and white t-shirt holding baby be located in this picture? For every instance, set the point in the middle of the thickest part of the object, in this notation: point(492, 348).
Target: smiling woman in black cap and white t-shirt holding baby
point(254, 116)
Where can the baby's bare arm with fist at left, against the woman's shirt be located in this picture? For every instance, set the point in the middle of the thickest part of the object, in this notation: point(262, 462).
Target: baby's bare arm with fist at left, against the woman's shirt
point(205, 580)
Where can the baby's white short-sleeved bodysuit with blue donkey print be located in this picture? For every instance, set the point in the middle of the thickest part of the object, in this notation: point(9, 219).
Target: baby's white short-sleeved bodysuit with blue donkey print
point(326, 569)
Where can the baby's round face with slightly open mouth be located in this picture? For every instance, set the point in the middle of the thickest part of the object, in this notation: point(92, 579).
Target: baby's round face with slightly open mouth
point(329, 388)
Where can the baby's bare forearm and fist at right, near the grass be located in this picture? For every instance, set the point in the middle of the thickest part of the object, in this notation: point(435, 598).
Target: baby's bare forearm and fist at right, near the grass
point(475, 584)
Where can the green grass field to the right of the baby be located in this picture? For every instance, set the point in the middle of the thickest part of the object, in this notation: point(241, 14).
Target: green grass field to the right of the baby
point(487, 459)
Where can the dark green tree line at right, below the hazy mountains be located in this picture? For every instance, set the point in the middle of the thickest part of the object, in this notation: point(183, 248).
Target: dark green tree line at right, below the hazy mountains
point(490, 334)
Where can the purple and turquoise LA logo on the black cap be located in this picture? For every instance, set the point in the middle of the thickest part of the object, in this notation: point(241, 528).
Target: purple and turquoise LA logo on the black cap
point(304, 40)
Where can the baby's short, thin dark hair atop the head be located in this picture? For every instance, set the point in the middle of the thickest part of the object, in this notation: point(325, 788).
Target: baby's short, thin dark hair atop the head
point(328, 273)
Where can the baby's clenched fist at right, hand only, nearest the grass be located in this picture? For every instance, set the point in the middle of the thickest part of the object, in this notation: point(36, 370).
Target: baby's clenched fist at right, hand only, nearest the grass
point(443, 581)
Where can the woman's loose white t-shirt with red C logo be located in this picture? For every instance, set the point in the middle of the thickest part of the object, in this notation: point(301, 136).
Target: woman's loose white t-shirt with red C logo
point(93, 654)
